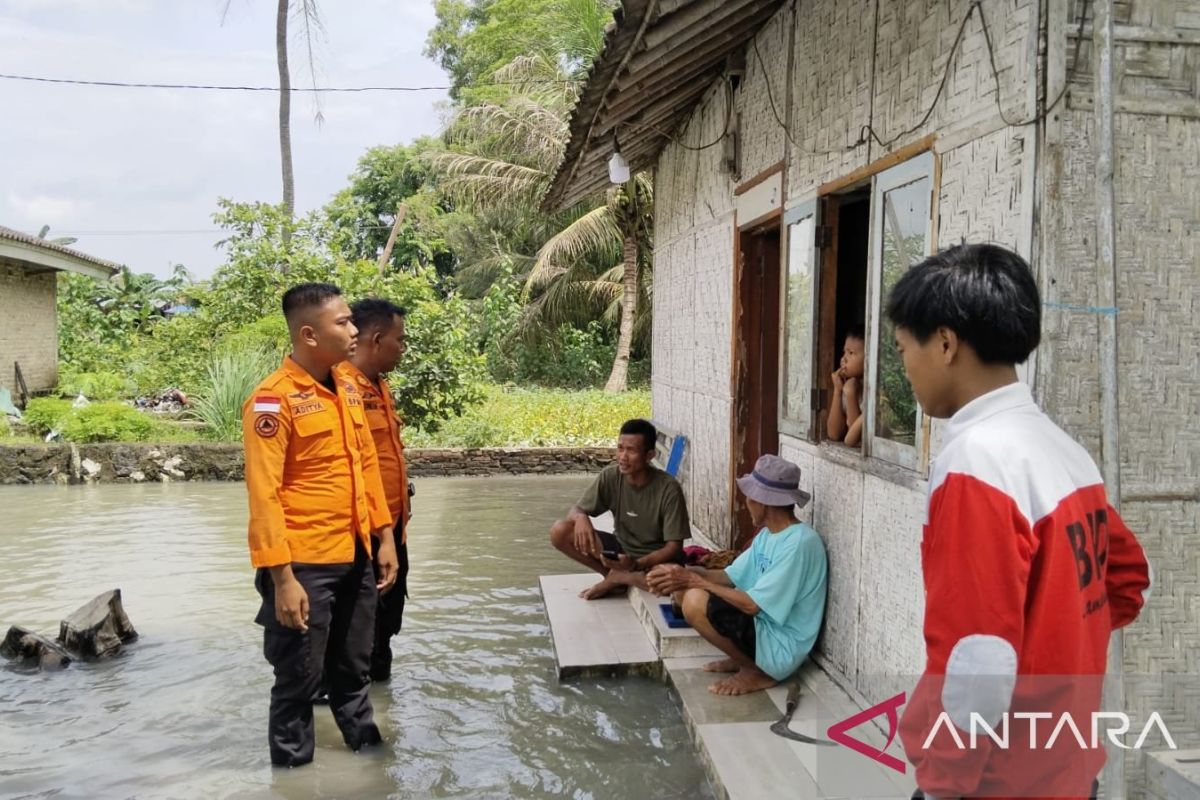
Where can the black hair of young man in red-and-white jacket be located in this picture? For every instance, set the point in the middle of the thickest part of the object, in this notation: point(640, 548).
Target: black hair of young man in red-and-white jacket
point(985, 293)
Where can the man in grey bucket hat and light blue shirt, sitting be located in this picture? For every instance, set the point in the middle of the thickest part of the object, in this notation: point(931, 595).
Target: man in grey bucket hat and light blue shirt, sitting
point(765, 610)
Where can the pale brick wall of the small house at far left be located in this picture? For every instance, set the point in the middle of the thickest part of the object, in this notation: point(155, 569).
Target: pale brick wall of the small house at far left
point(28, 328)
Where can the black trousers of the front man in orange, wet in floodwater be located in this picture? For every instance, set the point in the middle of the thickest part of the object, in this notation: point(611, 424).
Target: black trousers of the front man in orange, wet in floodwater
point(341, 628)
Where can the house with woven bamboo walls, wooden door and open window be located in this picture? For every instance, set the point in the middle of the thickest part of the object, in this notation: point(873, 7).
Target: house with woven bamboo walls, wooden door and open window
point(805, 154)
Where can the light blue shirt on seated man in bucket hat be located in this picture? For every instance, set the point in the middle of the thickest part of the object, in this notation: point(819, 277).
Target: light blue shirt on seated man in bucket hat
point(785, 574)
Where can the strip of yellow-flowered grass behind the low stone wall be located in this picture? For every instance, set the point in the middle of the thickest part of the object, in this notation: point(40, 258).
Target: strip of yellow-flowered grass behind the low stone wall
point(537, 418)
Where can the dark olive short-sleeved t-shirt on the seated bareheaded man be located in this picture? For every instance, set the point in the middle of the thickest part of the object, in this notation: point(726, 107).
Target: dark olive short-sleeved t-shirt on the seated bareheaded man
point(647, 518)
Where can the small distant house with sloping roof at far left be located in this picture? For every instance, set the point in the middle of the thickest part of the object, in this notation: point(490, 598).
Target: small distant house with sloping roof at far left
point(29, 340)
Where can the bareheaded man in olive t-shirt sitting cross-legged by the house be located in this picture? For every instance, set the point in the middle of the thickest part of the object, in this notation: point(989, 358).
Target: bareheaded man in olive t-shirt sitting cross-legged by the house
point(649, 509)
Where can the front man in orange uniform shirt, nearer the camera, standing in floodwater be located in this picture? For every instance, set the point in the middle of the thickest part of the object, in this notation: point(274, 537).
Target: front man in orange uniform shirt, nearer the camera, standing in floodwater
point(315, 501)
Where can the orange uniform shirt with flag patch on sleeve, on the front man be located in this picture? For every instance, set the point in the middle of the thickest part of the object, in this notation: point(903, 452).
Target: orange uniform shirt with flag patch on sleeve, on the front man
point(311, 471)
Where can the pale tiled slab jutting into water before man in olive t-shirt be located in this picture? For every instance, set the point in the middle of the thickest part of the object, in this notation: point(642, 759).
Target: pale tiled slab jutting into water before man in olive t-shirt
point(595, 637)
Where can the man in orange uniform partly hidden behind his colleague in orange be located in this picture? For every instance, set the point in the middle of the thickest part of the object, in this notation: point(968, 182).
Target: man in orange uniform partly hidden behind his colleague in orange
point(381, 344)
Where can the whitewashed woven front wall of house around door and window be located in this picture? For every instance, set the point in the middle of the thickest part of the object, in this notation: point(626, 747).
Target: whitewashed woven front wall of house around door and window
point(844, 77)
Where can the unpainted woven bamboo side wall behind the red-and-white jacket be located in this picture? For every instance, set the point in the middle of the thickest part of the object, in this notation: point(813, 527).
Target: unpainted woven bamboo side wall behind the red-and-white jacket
point(1157, 137)
